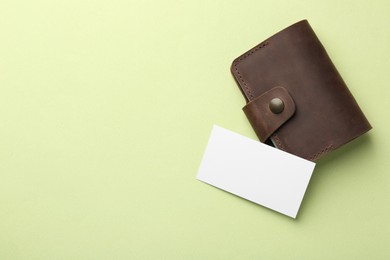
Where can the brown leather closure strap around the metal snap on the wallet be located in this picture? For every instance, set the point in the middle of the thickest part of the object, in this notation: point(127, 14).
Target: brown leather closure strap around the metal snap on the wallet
point(263, 120)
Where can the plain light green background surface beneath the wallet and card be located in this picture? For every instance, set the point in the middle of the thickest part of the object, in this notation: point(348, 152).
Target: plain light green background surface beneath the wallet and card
point(106, 108)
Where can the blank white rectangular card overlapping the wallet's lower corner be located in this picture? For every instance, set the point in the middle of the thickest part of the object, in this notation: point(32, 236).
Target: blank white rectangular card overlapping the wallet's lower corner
point(255, 171)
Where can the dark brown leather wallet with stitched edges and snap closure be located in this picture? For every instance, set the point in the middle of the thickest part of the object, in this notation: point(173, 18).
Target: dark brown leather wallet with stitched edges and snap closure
point(295, 96)
